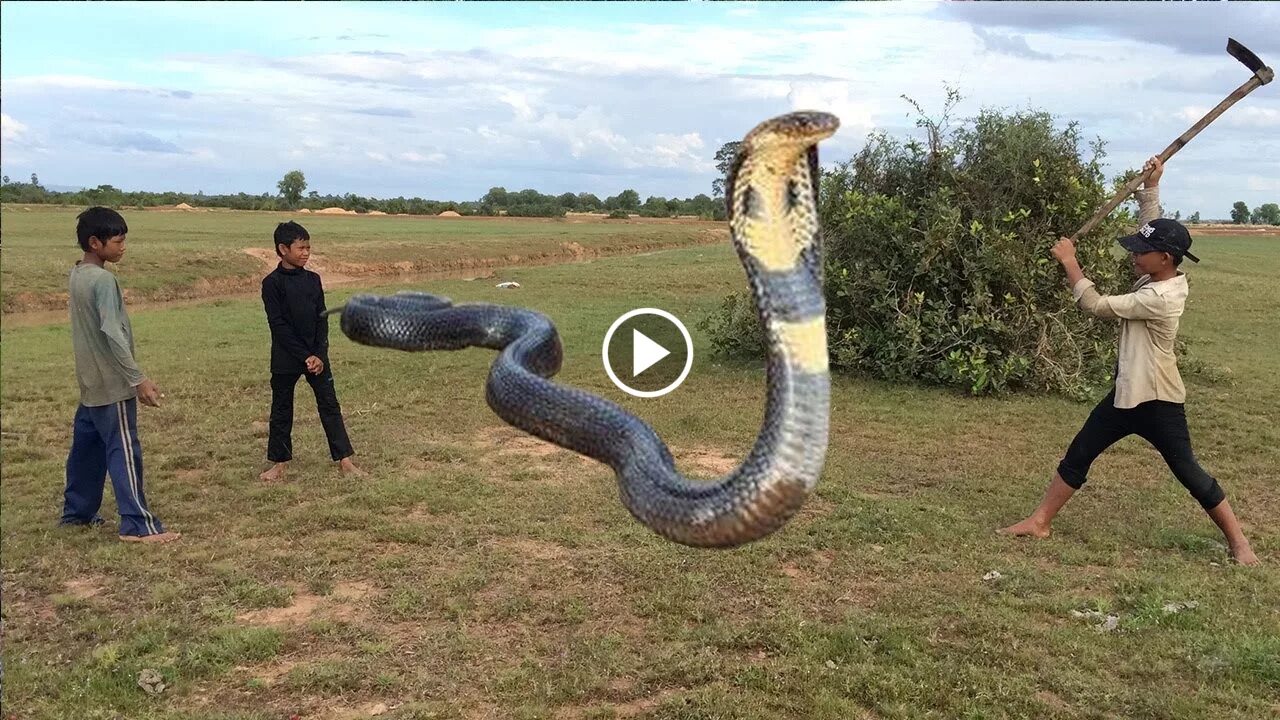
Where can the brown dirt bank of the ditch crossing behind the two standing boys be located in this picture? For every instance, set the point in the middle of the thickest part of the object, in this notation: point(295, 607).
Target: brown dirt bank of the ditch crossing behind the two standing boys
point(31, 308)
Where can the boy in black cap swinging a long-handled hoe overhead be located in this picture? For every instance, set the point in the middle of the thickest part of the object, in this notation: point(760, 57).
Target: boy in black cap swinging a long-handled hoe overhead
point(1149, 395)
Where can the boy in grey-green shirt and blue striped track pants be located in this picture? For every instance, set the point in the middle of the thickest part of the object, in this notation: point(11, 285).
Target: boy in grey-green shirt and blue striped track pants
point(106, 432)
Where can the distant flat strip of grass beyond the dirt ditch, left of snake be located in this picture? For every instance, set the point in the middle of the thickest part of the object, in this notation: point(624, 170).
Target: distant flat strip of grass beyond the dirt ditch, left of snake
point(177, 256)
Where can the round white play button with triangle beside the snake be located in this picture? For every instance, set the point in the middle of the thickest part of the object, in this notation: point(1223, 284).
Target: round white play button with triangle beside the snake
point(655, 347)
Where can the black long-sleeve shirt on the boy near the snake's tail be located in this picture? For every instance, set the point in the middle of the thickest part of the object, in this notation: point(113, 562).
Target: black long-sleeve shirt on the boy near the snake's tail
point(295, 306)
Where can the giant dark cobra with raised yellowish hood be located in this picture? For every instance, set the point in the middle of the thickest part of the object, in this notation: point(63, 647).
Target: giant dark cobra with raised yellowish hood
point(774, 221)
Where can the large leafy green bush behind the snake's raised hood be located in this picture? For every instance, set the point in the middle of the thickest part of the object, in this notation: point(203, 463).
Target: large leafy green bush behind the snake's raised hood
point(939, 267)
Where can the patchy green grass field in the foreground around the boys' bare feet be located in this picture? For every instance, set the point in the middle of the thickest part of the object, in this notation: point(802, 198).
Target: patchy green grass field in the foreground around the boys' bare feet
point(479, 573)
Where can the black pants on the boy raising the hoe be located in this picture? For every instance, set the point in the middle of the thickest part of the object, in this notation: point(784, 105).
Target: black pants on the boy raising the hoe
point(1162, 423)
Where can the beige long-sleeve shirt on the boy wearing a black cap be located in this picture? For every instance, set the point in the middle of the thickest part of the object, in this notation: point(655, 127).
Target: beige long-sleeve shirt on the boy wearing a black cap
point(1149, 318)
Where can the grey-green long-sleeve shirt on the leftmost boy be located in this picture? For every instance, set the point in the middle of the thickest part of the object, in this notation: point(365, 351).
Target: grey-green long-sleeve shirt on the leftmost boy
point(102, 338)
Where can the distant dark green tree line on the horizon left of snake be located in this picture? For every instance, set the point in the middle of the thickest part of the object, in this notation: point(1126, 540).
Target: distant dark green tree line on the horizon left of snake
point(292, 197)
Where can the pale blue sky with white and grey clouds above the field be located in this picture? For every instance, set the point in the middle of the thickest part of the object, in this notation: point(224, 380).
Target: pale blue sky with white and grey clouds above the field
point(447, 101)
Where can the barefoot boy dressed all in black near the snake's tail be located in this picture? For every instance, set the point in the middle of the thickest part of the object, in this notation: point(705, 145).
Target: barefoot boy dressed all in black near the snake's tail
point(300, 347)
